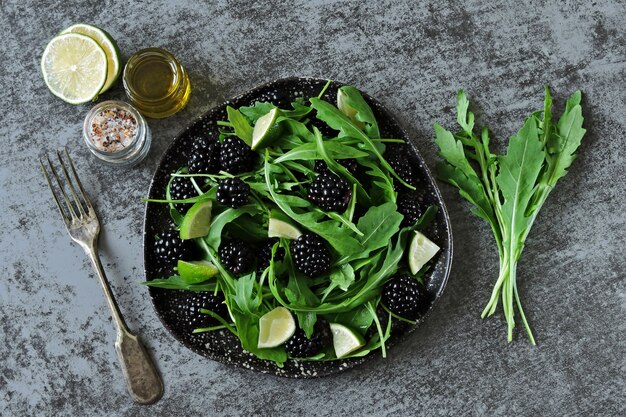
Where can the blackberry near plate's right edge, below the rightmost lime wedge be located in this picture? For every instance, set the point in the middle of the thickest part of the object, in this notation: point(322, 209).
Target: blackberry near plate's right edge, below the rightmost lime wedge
point(405, 297)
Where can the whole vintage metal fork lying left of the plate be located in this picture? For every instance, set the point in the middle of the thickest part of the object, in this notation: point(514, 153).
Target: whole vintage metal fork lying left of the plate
point(142, 378)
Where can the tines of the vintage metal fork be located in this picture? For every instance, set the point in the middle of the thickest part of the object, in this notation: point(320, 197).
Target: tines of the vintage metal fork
point(76, 207)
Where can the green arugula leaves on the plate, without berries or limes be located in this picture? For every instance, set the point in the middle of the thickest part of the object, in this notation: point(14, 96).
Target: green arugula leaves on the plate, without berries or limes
point(365, 254)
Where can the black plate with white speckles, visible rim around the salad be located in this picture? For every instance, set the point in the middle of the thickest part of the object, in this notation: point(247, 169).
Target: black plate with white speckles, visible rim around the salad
point(222, 345)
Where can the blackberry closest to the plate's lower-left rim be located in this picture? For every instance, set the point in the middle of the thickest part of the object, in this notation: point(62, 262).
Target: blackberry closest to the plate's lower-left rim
point(189, 306)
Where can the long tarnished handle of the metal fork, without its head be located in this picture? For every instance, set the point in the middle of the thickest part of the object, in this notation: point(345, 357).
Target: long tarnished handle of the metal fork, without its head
point(142, 378)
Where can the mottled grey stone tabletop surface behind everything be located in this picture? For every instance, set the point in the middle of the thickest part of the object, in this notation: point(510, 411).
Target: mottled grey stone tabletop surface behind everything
point(56, 336)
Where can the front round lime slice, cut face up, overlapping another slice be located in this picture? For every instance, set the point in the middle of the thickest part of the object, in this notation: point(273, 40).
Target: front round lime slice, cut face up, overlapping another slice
point(74, 67)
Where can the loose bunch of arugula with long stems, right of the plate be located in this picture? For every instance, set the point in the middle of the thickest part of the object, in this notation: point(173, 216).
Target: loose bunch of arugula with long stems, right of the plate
point(508, 190)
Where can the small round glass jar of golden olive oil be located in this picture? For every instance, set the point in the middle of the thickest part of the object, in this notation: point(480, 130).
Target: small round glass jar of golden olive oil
point(155, 82)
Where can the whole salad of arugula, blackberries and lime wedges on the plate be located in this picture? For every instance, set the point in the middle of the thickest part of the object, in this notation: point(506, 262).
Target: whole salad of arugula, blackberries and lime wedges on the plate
point(299, 230)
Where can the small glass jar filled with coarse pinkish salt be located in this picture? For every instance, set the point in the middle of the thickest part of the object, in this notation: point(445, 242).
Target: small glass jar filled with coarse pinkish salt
point(116, 133)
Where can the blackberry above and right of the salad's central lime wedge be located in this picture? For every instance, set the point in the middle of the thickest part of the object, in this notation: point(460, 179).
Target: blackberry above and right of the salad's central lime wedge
point(330, 192)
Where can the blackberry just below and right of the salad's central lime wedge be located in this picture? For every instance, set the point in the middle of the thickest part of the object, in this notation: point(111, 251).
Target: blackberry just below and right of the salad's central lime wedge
point(310, 255)
